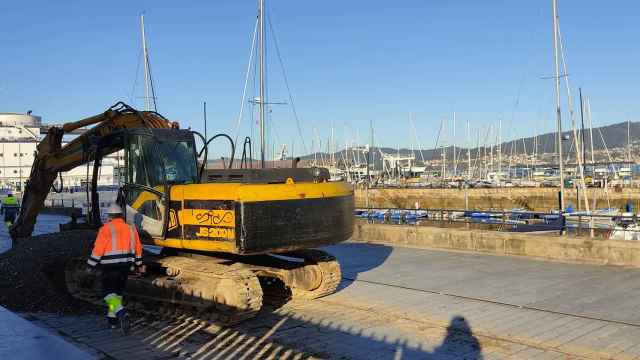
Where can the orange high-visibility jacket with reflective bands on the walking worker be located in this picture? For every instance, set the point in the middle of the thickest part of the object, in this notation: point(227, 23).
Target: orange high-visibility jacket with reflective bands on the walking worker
point(117, 244)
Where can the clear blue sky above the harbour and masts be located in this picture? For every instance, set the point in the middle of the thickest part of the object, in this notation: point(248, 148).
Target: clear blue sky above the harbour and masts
point(348, 62)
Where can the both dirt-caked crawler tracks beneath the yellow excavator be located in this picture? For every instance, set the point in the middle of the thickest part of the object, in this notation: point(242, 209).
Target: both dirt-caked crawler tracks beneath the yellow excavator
point(212, 289)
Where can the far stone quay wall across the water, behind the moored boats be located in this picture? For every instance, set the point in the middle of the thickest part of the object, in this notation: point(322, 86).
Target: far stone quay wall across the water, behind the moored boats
point(534, 199)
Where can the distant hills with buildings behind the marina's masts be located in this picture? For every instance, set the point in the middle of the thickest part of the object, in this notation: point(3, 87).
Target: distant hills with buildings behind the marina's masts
point(614, 136)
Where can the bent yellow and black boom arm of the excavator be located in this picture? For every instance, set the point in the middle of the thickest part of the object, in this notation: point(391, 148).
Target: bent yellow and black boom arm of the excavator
point(52, 157)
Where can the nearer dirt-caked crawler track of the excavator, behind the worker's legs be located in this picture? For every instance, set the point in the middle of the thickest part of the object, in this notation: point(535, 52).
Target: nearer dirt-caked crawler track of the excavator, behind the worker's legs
point(179, 286)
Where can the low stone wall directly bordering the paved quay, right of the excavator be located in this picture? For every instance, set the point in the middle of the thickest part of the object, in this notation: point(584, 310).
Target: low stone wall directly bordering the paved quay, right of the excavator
point(542, 246)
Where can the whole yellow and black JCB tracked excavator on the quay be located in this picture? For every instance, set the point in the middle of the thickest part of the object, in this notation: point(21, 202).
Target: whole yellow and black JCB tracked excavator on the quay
point(226, 234)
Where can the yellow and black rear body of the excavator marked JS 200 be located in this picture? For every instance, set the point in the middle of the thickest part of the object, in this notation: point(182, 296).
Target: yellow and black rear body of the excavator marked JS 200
point(245, 218)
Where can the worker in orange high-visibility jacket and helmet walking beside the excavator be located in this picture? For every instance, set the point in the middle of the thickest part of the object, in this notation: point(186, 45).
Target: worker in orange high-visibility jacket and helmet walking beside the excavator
point(117, 251)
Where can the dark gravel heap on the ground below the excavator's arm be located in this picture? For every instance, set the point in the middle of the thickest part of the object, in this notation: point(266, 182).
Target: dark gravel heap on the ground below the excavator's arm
point(32, 273)
